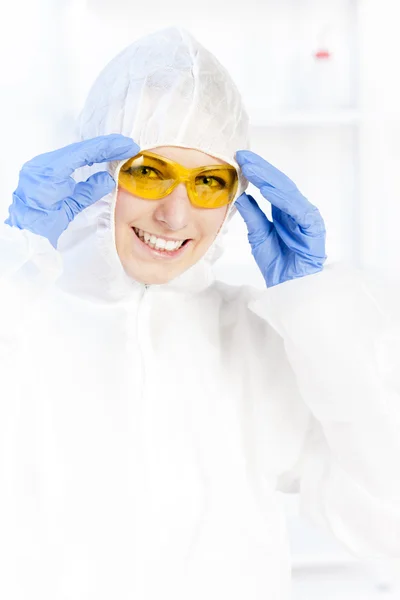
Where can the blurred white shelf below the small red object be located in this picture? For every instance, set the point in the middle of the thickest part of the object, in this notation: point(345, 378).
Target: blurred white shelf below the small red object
point(264, 118)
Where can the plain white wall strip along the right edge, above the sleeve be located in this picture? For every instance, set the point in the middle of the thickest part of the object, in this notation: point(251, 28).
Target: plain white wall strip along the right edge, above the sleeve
point(380, 134)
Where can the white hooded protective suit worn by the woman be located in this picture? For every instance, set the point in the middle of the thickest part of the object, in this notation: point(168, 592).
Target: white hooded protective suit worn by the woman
point(146, 431)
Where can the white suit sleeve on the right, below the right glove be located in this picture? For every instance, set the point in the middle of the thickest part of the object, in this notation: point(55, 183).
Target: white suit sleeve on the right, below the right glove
point(342, 338)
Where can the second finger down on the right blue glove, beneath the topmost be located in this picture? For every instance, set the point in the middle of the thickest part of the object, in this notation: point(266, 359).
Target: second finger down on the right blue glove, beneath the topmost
point(296, 205)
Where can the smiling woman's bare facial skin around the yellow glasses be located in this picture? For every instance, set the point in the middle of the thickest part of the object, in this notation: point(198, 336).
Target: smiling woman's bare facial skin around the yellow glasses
point(170, 218)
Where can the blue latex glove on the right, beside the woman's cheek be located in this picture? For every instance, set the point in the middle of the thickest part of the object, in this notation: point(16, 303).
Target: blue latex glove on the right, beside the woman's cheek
point(293, 244)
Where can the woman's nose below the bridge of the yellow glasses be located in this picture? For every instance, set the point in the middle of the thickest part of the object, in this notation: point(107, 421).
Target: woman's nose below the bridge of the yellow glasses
point(174, 210)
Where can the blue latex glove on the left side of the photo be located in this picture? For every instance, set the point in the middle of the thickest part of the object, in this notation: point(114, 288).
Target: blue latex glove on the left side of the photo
point(47, 198)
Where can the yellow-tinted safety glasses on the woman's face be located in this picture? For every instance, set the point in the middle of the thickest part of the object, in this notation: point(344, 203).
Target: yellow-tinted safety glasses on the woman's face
point(152, 177)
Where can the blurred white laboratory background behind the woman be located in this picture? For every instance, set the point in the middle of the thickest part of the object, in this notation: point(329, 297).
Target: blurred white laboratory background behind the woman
point(320, 79)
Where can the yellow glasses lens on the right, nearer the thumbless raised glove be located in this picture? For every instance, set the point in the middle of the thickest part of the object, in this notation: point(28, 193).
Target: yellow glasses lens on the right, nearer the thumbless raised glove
point(216, 187)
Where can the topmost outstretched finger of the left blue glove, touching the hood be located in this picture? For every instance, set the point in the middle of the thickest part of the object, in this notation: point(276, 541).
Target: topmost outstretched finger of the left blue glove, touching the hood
point(64, 161)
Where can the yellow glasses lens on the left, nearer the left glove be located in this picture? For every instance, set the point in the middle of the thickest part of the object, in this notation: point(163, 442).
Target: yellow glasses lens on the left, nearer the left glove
point(146, 176)
